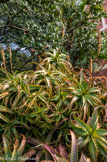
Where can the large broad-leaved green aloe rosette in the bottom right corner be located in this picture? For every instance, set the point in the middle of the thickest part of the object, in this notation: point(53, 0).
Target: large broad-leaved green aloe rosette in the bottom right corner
point(91, 135)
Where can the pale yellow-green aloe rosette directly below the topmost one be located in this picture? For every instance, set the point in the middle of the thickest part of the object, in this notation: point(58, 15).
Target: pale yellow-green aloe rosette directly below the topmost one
point(47, 75)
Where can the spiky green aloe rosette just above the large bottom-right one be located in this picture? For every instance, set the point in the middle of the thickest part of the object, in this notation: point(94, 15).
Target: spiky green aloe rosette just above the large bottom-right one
point(83, 94)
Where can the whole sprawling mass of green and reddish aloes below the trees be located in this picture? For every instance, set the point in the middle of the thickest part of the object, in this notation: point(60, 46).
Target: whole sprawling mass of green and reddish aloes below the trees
point(41, 104)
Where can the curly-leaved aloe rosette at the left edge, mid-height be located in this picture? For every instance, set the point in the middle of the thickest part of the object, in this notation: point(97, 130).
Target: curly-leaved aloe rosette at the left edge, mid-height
point(16, 87)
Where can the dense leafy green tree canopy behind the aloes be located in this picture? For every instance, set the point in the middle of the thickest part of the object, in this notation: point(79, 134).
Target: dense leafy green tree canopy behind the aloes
point(45, 25)
